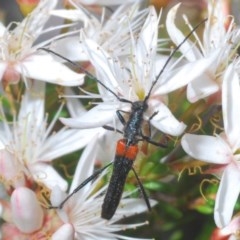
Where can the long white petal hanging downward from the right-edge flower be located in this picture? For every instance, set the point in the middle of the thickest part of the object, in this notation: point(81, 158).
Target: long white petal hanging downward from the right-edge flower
point(227, 195)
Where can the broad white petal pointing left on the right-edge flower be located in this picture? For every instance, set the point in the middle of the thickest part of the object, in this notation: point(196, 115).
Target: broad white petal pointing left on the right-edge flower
point(206, 148)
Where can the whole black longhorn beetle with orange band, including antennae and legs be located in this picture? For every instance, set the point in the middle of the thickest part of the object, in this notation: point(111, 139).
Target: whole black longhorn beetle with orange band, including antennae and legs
point(127, 147)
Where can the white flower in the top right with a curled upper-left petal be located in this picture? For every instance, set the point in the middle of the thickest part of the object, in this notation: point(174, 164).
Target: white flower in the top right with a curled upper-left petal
point(214, 52)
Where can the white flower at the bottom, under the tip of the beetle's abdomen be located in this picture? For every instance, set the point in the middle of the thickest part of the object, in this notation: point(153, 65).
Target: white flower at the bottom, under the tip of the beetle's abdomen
point(82, 210)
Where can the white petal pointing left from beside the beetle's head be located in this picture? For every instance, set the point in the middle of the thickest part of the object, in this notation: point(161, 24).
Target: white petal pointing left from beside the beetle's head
point(96, 117)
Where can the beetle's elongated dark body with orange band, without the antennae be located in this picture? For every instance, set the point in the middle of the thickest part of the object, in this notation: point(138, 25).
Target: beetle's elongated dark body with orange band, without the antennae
point(126, 152)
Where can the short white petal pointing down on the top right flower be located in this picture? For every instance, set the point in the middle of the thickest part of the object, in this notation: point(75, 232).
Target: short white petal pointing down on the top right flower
point(203, 86)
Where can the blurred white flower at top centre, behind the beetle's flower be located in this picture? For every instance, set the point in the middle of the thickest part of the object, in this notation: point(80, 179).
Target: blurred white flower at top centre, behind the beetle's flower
point(102, 29)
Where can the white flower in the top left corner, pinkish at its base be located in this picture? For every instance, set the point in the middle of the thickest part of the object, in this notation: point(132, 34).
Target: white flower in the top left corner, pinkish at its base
point(19, 58)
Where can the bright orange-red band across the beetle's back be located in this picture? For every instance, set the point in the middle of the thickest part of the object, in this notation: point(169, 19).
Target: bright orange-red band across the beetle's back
point(129, 152)
